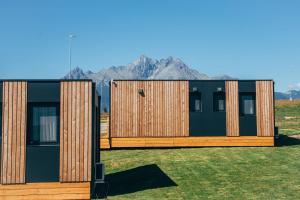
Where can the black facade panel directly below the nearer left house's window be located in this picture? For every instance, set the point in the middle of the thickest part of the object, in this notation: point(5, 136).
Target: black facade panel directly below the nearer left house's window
point(42, 164)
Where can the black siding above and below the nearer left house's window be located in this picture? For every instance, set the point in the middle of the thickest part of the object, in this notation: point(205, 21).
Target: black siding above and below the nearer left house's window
point(42, 161)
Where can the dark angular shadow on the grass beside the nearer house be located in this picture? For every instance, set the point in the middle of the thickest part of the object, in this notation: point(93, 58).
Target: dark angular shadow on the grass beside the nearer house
point(137, 179)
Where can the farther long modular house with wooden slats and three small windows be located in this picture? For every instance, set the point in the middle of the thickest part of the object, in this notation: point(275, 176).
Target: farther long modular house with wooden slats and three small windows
point(180, 113)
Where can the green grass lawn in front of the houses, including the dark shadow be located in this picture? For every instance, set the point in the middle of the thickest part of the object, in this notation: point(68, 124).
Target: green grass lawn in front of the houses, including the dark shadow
point(208, 173)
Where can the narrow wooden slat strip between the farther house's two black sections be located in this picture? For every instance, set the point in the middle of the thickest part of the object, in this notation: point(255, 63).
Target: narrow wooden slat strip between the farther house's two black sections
point(232, 108)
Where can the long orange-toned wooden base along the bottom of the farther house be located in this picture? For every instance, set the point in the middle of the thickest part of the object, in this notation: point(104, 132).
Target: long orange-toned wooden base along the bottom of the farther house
point(215, 141)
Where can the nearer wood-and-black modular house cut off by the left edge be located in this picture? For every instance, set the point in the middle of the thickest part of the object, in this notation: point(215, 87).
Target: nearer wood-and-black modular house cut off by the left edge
point(49, 141)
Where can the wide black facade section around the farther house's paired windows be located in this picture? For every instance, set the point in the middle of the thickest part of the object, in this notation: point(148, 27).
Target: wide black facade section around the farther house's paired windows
point(207, 122)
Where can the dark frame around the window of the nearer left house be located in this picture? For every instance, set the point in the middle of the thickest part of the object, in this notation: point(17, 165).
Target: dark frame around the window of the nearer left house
point(30, 107)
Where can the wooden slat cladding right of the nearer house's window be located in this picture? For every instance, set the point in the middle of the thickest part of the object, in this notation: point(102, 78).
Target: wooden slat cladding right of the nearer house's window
point(75, 131)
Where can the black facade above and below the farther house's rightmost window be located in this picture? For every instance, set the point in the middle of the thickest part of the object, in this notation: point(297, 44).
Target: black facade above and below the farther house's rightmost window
point(247, 122)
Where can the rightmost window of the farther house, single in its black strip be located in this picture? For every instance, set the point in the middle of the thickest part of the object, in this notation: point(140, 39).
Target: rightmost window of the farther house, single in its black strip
point(247, 103)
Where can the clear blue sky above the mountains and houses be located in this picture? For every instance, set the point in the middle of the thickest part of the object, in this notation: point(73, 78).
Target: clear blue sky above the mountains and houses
point(242, 38)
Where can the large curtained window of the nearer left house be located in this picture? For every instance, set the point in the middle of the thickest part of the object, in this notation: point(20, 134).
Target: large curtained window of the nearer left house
point(43, 123)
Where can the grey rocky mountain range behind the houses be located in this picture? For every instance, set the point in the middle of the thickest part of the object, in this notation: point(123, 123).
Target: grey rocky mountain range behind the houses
point(145, 68)
